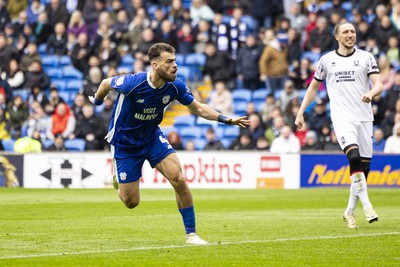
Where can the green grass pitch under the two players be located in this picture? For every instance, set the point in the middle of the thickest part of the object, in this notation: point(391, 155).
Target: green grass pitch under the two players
point(244, 227)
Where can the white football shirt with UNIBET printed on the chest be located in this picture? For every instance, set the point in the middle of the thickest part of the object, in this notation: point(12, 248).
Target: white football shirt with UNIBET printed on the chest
point(346, 80)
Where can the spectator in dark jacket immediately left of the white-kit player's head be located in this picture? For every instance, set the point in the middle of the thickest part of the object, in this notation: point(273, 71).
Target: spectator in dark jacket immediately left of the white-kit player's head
point(320, 40)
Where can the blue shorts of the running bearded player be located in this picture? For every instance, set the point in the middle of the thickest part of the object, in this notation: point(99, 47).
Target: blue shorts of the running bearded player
point(128, 163)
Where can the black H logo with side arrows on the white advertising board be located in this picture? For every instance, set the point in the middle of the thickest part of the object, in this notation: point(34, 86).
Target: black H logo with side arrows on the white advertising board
point(66, 173)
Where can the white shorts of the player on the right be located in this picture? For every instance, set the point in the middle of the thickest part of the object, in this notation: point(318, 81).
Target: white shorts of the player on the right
point(355, 132)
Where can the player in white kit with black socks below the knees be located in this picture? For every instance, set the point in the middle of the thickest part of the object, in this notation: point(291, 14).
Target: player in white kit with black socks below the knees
point(347, 72)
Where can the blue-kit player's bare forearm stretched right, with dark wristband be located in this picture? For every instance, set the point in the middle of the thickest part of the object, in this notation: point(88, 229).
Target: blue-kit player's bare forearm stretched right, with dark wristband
point(207, 112)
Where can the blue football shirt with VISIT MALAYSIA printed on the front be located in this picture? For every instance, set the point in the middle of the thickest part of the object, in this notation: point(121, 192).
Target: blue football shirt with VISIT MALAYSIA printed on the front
point(139, 108)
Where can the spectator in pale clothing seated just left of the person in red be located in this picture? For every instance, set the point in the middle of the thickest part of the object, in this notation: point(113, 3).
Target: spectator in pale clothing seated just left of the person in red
point(37, 120)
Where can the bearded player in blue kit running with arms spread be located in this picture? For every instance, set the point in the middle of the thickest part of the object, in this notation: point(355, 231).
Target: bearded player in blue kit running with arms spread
point(134, 132)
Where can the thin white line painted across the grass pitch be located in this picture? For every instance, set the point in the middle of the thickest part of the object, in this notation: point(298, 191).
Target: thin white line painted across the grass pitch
point(288, 239)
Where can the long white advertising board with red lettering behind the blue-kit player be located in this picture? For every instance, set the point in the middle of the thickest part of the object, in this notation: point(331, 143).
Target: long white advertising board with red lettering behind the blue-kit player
point(228, 170)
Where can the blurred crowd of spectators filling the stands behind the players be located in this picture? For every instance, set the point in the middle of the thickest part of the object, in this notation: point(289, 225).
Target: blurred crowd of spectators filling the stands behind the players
point(269, 48)
